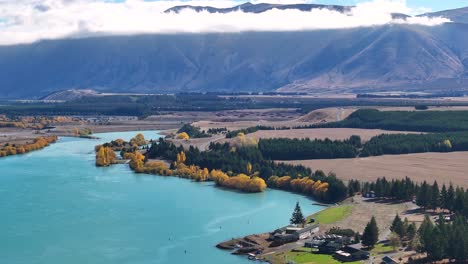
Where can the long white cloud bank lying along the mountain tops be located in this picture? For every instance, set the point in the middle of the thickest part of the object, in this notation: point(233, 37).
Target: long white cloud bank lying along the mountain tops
point(25, 21)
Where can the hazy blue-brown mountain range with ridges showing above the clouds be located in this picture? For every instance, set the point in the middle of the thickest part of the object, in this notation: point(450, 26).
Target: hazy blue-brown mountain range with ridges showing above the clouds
point(394, 57)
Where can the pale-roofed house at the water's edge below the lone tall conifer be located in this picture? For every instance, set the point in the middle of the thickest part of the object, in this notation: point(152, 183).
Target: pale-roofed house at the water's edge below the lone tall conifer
point(293, 233)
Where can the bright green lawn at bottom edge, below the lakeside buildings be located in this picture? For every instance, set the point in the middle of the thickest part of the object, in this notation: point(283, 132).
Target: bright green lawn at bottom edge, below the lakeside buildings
point(305, 258)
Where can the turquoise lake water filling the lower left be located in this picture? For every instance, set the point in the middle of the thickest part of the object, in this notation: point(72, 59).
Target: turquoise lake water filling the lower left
point(57, 207)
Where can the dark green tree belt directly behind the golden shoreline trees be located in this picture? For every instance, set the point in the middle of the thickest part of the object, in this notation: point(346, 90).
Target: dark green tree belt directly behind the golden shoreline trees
point(236, 160)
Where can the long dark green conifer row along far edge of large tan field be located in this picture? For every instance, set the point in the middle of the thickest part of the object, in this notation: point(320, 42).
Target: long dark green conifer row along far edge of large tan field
point(299, 149)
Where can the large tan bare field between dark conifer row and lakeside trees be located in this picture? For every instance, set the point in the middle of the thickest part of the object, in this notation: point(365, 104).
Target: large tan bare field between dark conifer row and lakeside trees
point(443, 167)
